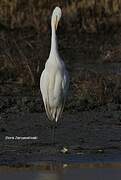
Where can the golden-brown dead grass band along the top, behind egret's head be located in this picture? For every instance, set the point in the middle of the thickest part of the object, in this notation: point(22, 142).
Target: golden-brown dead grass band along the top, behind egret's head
point(88, 14)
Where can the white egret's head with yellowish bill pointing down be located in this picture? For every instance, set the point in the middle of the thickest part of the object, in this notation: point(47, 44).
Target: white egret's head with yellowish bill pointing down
point(56, 15)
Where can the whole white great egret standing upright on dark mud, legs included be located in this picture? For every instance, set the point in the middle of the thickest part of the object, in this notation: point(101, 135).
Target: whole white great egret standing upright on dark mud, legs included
point(54, 79)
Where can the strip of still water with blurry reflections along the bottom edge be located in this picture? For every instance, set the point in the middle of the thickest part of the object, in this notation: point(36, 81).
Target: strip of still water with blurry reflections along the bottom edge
point(90, 171)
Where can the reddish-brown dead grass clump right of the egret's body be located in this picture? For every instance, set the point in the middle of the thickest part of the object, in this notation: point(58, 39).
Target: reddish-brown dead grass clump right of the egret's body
point(96, 89)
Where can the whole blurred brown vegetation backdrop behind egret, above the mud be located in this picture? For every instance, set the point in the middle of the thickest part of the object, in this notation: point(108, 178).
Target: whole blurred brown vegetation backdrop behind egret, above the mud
point(89, 38)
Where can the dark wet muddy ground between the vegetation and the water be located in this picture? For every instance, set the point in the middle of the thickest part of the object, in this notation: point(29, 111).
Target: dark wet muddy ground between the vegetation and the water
point(86, 133)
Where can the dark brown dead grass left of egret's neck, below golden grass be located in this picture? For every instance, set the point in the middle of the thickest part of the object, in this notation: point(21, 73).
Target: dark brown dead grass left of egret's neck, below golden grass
point(22, 55)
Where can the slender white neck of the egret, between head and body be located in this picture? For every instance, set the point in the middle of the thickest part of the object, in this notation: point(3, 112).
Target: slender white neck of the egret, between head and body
point(54, 45)
